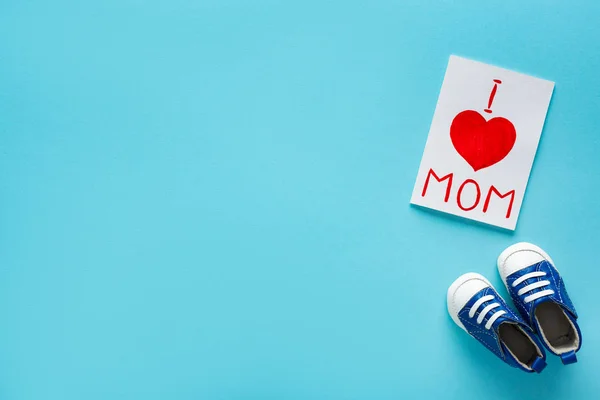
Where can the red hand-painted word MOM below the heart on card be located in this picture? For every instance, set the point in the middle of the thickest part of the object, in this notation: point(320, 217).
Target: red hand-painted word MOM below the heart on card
point(468, 204)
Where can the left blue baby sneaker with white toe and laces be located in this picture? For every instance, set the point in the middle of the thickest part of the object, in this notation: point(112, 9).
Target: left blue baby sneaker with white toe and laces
point(477, 308)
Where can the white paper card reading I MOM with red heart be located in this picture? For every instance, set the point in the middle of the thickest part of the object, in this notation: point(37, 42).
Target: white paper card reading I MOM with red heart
point(482, 142)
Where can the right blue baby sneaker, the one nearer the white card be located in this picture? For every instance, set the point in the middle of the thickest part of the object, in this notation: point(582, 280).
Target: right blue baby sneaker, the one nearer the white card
point(539, 294)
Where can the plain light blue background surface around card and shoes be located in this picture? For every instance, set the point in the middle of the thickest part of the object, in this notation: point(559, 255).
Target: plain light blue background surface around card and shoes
point(210, 199)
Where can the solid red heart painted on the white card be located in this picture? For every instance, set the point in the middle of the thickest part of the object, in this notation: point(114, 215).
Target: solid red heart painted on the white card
point(482, 143)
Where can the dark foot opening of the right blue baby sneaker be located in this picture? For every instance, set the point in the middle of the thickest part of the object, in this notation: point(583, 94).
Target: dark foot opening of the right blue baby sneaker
point(556, 328)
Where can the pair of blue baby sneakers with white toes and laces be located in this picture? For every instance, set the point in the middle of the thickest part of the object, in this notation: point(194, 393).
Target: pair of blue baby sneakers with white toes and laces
point(547, 316)
